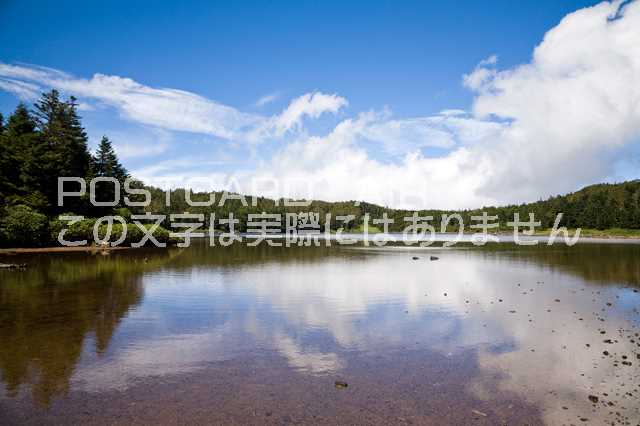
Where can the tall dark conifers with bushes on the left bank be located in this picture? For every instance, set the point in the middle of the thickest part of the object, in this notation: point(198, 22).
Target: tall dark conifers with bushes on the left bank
point(36, 146)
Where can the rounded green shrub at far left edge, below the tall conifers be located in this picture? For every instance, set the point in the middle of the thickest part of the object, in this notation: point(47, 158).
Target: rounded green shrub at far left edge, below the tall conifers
point(21, 226)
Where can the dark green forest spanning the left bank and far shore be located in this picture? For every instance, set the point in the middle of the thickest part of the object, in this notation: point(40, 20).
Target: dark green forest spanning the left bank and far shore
point(41, 143)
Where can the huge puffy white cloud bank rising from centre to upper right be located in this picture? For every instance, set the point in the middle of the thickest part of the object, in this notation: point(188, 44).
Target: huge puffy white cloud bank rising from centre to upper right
point(538, 129)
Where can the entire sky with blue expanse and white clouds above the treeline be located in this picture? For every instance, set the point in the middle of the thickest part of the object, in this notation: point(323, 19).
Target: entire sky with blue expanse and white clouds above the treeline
point(405, 104)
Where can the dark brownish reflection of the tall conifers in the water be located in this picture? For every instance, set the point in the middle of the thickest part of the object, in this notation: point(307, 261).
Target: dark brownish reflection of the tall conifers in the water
point(48, 311)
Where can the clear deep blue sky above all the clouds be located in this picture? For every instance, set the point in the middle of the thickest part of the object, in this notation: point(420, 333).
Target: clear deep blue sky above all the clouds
point(409, 56)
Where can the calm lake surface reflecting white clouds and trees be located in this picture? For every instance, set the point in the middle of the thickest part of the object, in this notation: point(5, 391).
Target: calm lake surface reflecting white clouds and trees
point(494, 335)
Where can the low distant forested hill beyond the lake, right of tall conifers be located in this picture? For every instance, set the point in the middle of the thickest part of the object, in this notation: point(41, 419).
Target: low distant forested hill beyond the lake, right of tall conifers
point(601, 206)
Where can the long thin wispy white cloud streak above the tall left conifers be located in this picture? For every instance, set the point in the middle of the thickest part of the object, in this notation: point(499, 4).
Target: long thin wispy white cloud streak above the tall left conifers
point(169, 109)
